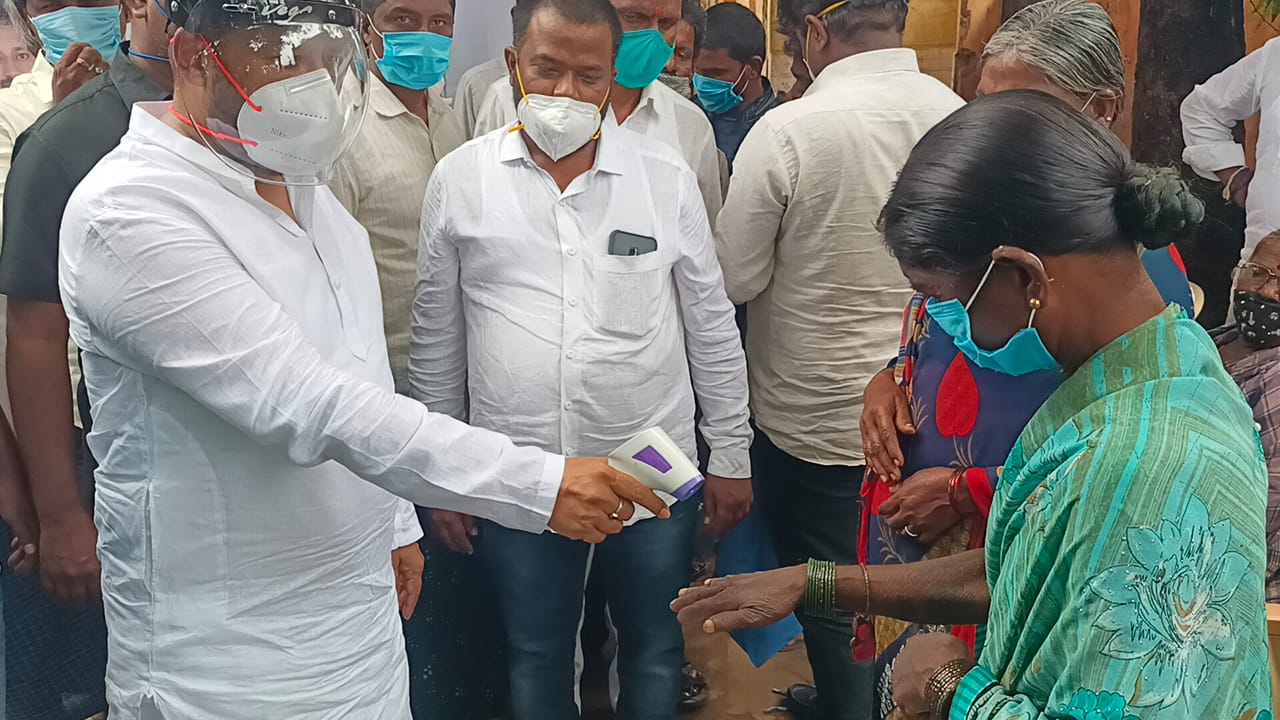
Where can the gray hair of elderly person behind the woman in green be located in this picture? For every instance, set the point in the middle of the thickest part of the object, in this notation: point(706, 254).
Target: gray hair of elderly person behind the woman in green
point(1073, 43)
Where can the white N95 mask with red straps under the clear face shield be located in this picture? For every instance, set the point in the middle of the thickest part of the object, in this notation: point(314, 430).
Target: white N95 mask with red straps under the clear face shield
point(295, 126)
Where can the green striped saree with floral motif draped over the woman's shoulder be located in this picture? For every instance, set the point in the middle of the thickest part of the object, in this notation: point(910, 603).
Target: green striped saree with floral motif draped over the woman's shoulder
point(1126, 553)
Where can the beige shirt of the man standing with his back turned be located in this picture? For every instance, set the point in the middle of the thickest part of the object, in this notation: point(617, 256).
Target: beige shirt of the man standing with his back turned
point(798, 244)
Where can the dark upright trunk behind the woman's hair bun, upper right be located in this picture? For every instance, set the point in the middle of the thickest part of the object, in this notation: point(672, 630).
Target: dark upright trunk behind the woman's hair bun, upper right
point(1181, 44)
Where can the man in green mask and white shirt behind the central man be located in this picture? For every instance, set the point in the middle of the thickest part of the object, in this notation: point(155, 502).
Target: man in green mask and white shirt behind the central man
point(639, 102)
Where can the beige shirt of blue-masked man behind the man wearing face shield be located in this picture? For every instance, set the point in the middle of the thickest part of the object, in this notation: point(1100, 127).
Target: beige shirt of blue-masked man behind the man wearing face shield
point(382, 181)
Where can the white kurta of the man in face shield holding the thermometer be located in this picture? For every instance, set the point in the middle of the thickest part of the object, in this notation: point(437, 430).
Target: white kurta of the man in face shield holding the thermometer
point(239, 376)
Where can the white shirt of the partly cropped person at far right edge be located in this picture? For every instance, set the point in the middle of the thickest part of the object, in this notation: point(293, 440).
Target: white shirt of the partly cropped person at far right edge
point(1210, 116)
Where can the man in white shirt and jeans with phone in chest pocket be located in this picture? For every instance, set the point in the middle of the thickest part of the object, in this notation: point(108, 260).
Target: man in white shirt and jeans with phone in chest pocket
point(570, 298)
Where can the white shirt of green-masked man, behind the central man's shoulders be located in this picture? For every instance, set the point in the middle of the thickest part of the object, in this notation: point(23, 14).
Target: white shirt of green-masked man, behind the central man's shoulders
point(662, 115)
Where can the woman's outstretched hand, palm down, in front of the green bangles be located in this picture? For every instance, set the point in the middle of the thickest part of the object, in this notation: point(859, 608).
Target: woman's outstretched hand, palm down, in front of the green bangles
point(740, 603)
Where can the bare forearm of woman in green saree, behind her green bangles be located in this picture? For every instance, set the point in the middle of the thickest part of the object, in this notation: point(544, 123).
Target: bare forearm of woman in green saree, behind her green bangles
point(949, 591)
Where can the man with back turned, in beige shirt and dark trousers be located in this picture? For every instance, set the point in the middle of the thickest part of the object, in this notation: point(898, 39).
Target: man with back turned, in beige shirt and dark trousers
point(799, 247)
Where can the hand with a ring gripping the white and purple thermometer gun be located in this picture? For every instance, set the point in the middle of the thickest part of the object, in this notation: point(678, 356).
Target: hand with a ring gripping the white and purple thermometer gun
point(596, 500)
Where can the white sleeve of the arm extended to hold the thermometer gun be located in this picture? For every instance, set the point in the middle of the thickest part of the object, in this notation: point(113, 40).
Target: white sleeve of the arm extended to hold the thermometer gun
point(153, 289)
